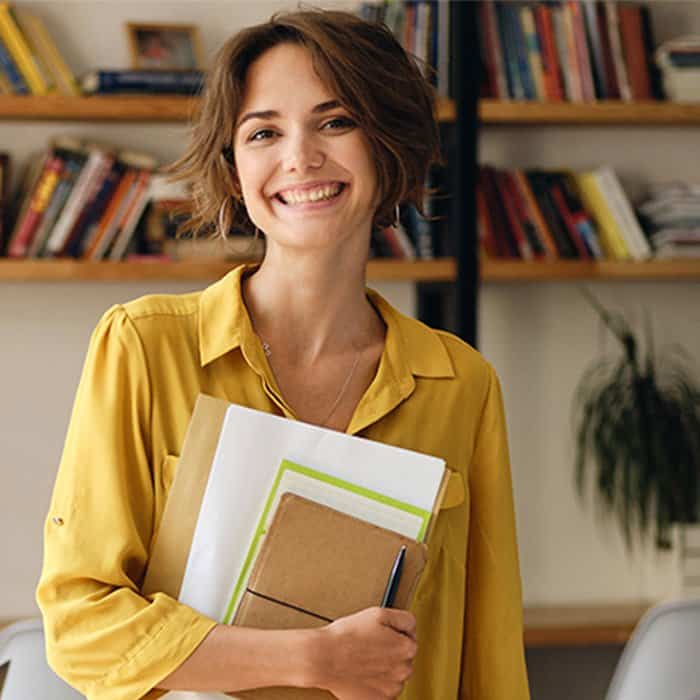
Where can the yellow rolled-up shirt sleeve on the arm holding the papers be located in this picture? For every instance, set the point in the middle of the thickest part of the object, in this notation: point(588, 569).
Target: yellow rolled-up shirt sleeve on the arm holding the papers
point(102, 636)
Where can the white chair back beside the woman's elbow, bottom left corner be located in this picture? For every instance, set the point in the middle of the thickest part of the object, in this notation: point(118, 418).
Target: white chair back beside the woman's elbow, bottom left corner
point(28, 676)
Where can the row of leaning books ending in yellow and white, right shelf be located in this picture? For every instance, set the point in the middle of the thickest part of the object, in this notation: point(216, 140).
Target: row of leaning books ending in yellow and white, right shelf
point(538, 214)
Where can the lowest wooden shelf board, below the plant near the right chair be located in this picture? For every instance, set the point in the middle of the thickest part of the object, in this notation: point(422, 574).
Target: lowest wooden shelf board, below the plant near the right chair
point(581, 625)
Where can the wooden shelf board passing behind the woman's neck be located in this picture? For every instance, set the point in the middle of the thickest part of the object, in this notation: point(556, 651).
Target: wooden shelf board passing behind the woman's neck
point(440, 270)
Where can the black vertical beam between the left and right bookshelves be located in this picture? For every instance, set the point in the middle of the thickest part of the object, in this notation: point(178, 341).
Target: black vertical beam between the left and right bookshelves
point(465, 78)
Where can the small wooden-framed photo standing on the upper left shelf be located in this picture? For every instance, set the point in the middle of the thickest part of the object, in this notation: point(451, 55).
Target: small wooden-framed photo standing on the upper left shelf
point(164, 46)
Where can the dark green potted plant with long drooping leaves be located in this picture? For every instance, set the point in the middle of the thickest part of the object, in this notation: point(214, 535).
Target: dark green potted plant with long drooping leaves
point(638, 430)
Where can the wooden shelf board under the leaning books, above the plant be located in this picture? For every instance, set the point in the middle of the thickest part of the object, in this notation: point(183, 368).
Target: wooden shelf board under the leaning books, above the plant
point(579, 271)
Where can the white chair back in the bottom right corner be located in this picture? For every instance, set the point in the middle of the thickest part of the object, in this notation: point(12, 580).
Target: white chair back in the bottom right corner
point(662, 659)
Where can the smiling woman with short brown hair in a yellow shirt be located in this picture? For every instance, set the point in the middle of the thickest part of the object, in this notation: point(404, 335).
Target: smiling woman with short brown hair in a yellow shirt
point(314, 126)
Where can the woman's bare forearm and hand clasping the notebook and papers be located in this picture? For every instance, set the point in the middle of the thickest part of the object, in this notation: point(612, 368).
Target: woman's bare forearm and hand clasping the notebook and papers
point(366, 655)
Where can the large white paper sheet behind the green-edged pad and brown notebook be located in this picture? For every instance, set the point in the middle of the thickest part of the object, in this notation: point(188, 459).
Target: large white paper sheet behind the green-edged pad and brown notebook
point(252, 444)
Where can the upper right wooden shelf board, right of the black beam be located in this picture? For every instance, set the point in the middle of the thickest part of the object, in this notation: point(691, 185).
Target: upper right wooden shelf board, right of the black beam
point(595, 113)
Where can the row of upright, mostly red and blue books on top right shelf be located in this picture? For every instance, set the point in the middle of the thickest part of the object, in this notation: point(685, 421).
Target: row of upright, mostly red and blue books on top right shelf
point(572, 50)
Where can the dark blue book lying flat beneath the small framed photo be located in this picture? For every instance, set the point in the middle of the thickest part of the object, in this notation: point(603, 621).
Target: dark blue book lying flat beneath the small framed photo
point(188, 82)
